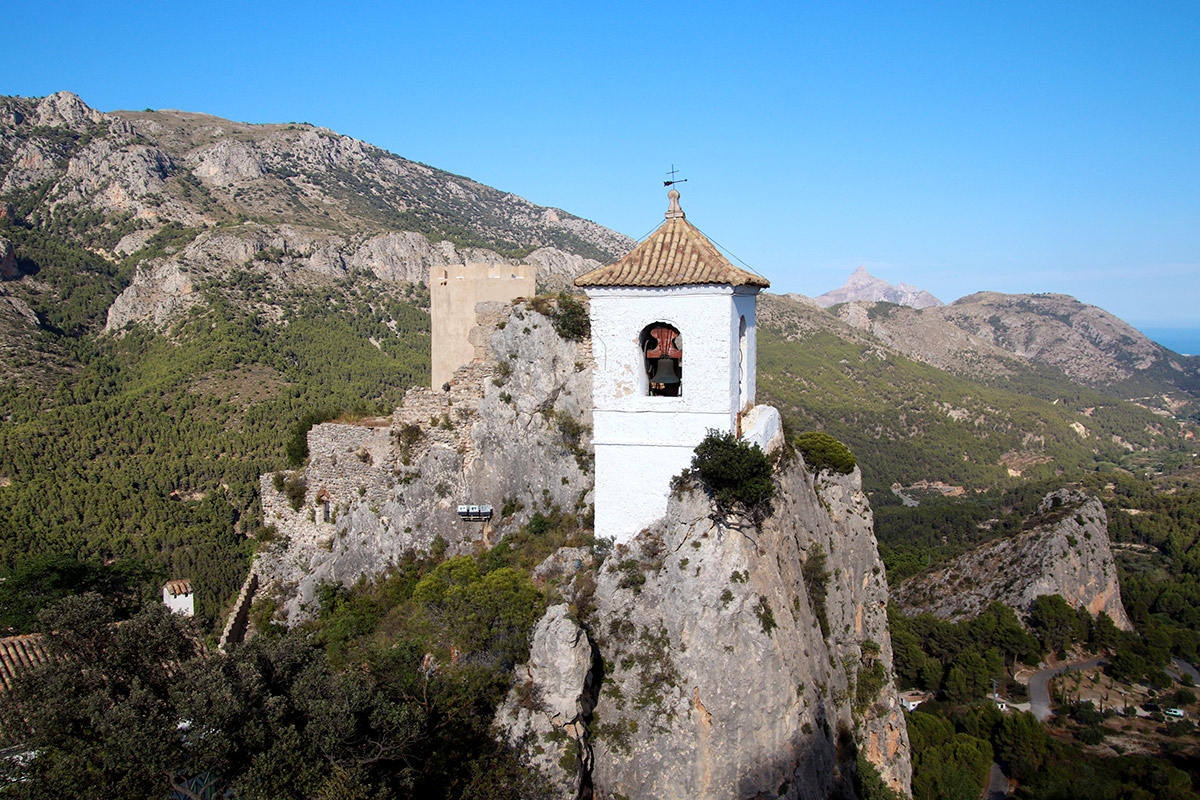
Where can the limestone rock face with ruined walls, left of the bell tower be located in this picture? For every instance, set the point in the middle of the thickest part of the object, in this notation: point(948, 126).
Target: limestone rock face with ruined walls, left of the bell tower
point(512, 430)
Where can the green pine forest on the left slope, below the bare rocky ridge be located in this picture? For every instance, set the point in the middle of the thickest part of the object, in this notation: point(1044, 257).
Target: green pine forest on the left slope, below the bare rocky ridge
point(148, 449)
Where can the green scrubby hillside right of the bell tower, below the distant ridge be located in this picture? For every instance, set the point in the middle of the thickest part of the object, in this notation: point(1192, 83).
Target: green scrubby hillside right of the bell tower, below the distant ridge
point(919, 399)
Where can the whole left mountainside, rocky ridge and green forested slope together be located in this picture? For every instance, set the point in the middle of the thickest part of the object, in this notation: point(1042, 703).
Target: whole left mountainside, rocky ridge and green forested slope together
point(187, 297)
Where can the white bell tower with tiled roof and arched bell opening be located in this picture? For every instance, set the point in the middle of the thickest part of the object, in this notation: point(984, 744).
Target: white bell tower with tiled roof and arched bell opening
point(674, 341)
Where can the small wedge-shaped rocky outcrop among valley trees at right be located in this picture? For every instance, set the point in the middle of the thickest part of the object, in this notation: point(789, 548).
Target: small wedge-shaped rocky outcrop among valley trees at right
point(1066, 554)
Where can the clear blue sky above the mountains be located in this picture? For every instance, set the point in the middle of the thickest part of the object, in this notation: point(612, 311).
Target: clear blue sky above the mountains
point(958, 147)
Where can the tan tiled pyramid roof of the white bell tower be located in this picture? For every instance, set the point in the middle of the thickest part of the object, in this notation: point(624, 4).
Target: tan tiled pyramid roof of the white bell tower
point(674, 256)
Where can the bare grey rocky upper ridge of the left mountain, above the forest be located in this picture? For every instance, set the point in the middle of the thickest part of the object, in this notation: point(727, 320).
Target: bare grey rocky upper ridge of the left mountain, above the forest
point(181, 200)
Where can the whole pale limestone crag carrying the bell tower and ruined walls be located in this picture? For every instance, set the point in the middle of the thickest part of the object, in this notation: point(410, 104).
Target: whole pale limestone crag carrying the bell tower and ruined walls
point(717, 658)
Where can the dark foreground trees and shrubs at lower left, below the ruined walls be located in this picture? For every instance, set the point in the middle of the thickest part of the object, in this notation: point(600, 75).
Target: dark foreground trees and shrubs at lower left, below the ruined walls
point(389, 694)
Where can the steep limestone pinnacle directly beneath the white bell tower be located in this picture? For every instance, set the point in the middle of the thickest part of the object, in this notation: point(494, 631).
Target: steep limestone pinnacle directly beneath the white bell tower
point(719, 679)
